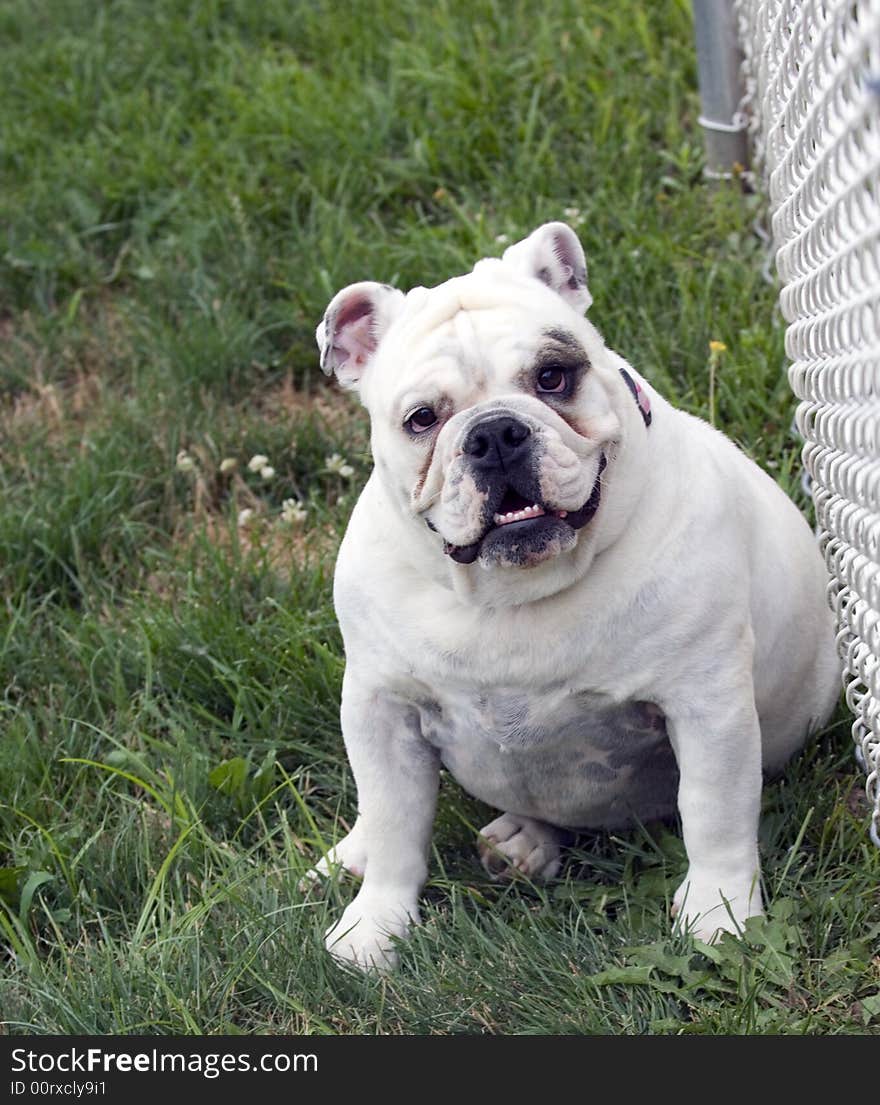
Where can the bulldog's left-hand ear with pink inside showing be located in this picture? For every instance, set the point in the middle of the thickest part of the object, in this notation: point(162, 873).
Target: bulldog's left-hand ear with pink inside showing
point(353, 327)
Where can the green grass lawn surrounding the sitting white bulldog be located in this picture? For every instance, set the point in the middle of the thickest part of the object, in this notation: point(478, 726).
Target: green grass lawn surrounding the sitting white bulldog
point(183, 187)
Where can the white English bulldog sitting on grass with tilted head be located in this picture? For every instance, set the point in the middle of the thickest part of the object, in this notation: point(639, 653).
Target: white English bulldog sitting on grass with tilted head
point(590, 607)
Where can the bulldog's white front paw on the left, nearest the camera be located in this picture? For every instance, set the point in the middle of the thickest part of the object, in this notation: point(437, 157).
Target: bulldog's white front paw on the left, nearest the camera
point(365, 935)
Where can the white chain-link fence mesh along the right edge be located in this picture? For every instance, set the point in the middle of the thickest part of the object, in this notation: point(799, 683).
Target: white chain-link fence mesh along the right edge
point(813, 99)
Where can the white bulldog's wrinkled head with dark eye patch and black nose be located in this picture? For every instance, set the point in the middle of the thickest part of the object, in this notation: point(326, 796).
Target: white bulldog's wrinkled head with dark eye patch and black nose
point(495, 405)
